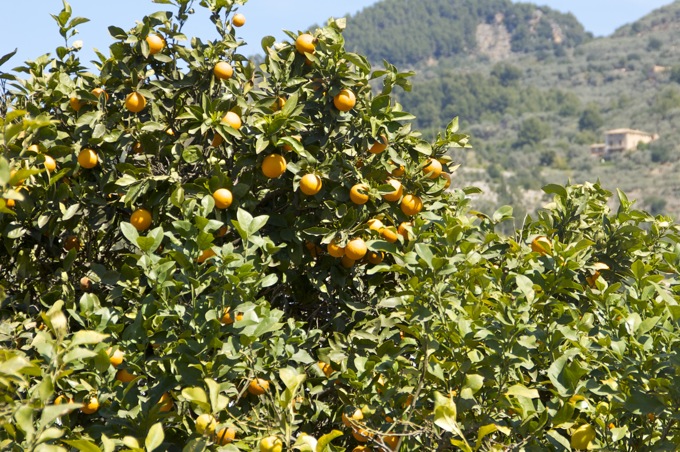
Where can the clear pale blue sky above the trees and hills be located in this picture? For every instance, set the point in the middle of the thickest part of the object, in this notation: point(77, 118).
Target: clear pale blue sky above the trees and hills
point(27, 23)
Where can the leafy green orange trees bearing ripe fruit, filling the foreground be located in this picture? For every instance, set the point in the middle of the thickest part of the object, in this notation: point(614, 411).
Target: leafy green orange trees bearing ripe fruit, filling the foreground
point(204, 252)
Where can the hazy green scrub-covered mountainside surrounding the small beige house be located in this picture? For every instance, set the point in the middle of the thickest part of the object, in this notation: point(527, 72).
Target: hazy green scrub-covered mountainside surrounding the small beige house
point(535, 90)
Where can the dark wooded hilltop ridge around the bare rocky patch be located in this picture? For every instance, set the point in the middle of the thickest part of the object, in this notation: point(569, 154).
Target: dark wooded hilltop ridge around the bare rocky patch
point(448, 28)
